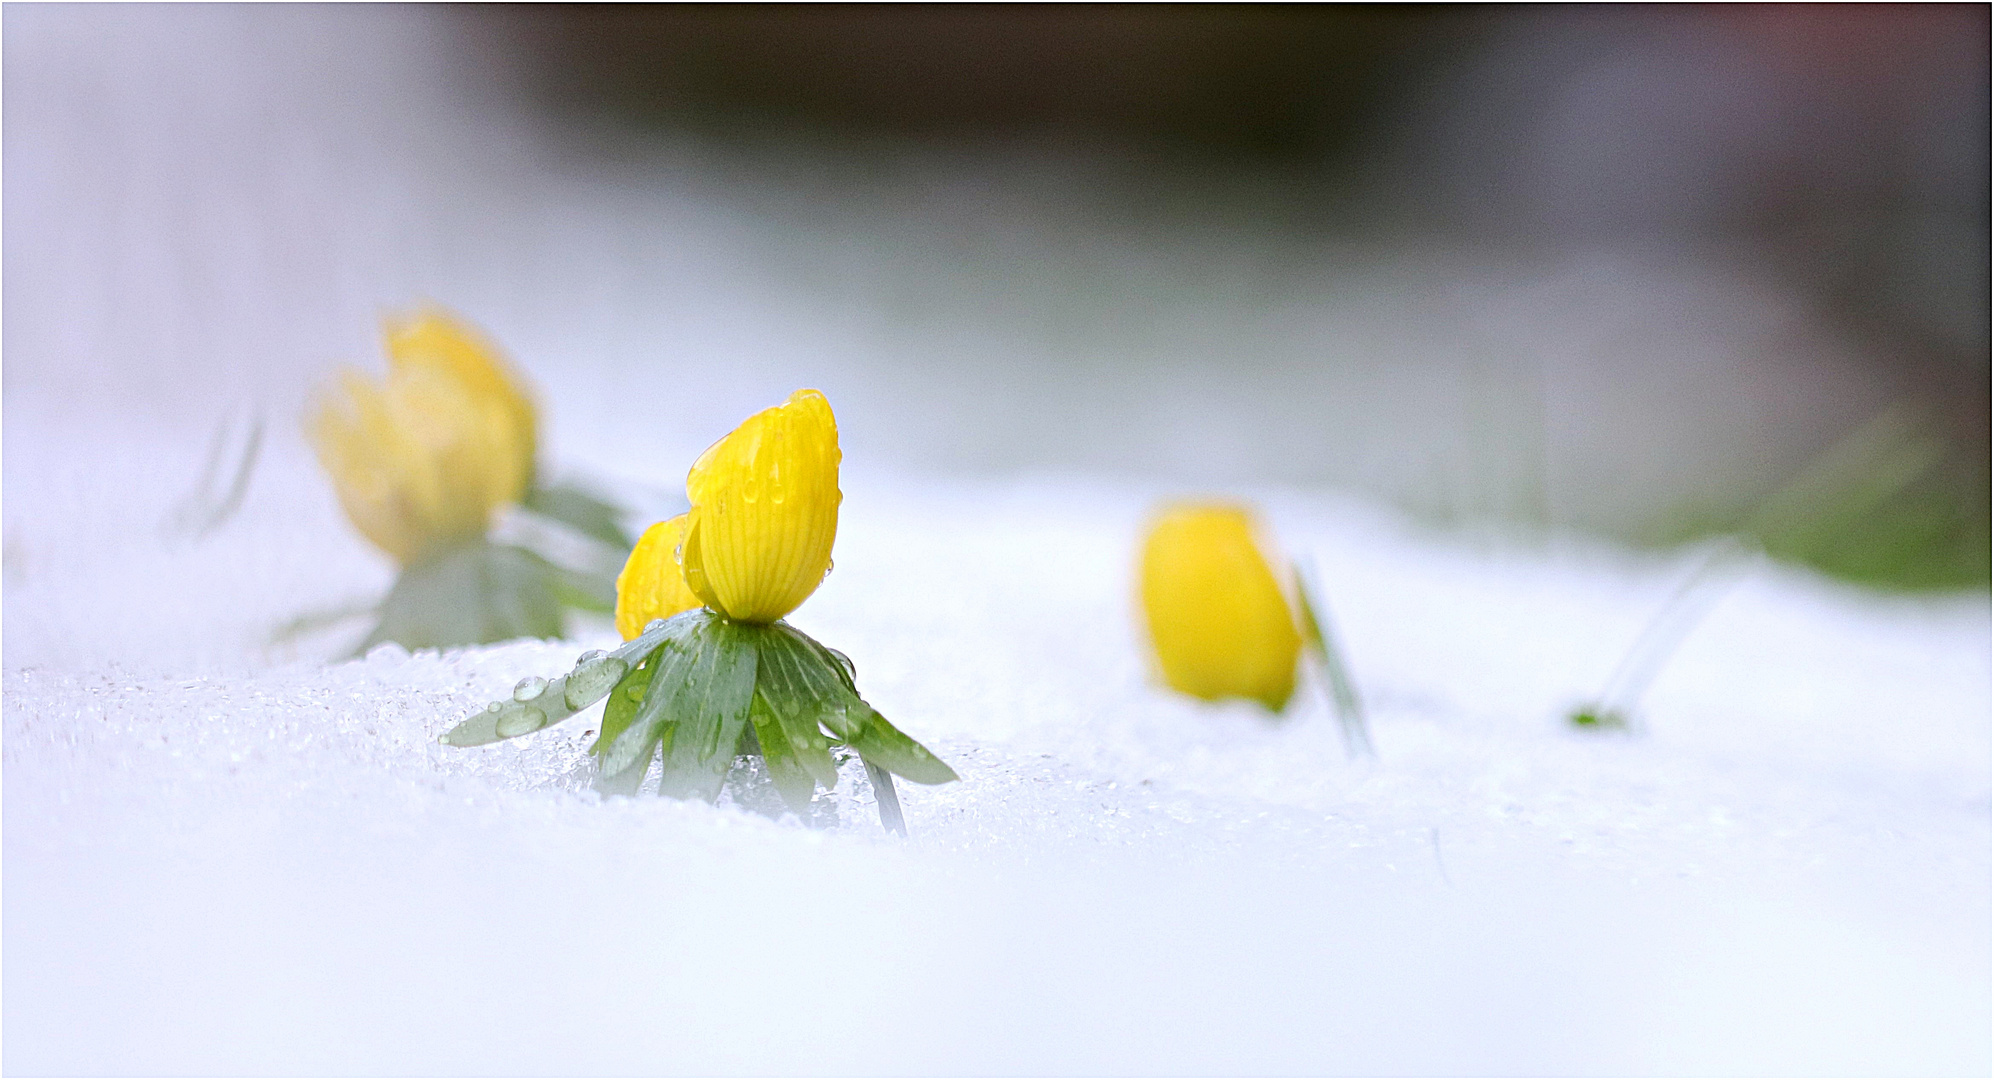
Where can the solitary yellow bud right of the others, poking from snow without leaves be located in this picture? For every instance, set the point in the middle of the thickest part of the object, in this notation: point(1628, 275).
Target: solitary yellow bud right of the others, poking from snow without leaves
point(1217, 617)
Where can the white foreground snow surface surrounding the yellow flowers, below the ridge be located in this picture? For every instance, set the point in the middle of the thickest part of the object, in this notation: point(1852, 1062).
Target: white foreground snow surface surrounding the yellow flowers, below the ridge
point(234, 858)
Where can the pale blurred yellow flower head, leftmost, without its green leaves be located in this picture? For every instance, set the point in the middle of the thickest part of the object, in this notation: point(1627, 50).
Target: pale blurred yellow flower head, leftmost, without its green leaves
point(428, 457)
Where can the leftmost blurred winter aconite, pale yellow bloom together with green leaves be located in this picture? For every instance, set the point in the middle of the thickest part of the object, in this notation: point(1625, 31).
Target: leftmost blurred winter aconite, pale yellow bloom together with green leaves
point(438, 467)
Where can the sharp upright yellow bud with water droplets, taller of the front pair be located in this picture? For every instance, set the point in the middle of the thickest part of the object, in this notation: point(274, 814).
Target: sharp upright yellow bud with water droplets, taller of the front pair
point(765, 511)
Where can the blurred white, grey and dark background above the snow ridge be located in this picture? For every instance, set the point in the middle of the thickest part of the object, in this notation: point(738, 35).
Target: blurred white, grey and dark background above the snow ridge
point(1638, 272)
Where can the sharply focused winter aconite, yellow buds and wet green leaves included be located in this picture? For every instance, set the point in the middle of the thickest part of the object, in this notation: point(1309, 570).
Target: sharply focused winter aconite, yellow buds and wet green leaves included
point(709, 671)
